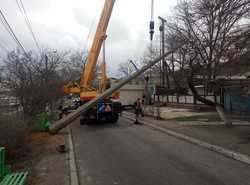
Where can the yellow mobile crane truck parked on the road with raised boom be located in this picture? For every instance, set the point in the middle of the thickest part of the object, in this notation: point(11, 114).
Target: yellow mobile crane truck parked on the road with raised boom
point(108, 108)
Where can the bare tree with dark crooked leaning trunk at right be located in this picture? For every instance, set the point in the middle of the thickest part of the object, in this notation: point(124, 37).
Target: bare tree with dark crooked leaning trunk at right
point(218, 32)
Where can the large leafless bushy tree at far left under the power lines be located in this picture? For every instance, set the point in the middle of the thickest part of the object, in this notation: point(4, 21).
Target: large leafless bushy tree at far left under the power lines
point(32, 79)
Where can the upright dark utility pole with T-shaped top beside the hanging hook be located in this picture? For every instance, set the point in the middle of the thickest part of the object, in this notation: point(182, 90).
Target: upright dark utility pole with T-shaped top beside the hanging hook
point(164, 67)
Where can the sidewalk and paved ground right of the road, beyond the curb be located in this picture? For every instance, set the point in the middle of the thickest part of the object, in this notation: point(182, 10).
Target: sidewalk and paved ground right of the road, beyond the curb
point(214, 132)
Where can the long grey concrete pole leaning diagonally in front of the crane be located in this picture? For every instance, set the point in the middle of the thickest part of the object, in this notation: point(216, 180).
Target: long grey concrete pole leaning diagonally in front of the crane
point(54, 128)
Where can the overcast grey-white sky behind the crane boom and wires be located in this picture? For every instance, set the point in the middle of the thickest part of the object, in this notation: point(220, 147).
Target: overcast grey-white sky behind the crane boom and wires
point(65, 25)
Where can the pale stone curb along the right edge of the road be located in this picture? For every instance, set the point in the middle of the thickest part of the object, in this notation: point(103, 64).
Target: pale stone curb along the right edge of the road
point(229, 153)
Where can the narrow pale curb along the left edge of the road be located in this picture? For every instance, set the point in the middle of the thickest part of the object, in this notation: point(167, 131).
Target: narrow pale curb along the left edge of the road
point(72, 162)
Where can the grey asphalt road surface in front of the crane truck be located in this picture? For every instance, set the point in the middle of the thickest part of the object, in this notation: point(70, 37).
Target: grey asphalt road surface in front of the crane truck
point(121, 154)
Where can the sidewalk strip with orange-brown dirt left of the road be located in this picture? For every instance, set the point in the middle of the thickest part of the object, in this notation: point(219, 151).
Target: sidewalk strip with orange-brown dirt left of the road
point(54, 167)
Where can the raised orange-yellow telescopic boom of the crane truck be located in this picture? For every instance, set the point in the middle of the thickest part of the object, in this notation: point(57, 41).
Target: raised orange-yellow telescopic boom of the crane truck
point(100, 36)
